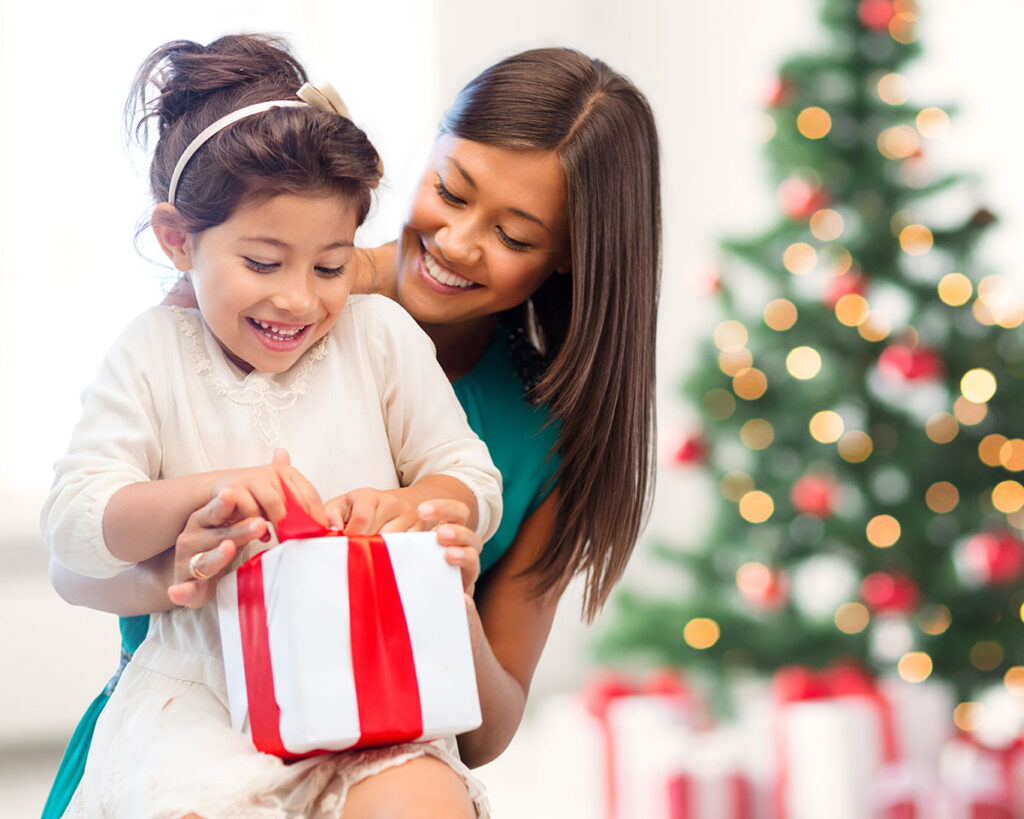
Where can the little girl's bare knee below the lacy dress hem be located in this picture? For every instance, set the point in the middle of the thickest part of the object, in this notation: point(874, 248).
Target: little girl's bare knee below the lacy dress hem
point(421, 789)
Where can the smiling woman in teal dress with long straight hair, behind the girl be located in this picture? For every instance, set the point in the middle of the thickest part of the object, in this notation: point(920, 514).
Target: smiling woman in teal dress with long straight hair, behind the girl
point(531, 255)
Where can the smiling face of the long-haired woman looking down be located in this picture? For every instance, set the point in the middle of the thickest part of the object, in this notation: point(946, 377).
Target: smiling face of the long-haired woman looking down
point(487, 227)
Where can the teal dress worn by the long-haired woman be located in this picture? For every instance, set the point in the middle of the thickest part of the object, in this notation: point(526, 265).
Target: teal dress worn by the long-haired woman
point(521, 441)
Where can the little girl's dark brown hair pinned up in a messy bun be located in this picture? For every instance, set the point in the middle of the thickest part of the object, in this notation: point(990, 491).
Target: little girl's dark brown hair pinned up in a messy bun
point(290, 150)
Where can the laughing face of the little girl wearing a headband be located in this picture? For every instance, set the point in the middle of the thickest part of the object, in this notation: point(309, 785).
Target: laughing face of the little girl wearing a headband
point(272, 281)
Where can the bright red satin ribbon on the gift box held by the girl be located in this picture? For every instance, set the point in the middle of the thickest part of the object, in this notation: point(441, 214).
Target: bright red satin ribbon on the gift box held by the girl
point(387, 688)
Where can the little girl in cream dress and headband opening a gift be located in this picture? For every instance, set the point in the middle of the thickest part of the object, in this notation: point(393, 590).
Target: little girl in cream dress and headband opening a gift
point(262, 187)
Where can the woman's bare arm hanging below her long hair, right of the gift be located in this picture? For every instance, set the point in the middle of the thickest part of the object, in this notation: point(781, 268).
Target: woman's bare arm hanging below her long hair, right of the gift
point(509, 627)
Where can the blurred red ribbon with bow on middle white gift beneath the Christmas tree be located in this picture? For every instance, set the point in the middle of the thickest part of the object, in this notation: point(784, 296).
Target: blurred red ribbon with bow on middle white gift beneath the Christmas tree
point(798, 684)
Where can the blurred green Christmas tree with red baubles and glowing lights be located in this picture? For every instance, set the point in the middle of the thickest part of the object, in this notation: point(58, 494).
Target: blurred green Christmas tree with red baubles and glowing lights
point(861, 403)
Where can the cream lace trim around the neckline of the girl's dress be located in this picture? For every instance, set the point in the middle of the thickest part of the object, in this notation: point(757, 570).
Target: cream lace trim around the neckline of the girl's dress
point(258, 391)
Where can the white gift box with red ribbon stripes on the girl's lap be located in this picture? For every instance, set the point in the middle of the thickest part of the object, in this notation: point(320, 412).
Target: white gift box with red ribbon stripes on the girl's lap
point(333, 643)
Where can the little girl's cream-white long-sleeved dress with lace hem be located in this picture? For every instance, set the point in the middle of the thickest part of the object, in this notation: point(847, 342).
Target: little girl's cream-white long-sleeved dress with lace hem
point(368, 406)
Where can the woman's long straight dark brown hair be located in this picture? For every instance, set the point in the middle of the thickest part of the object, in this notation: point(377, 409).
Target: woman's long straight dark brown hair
point(598, 325)
